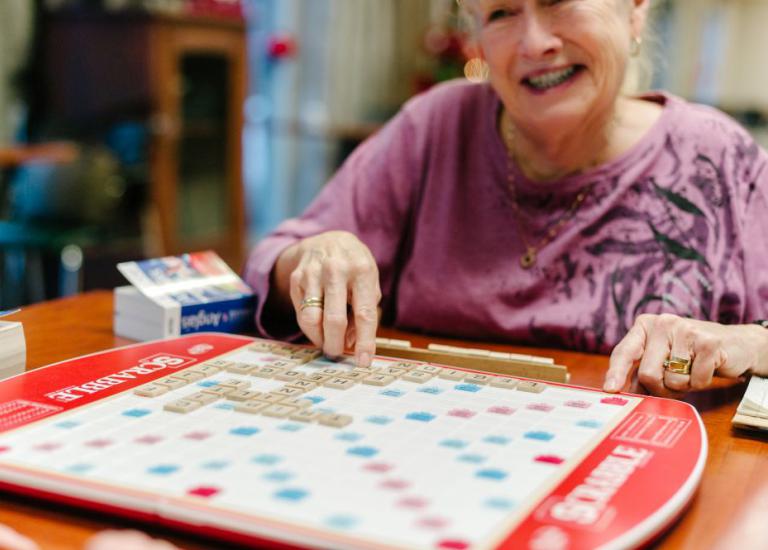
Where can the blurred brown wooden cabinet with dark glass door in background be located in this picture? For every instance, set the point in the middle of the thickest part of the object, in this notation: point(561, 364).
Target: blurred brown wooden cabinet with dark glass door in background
point(183, 78)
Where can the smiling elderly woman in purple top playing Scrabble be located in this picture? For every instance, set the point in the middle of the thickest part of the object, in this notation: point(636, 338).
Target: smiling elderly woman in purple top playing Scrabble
point(545, 207)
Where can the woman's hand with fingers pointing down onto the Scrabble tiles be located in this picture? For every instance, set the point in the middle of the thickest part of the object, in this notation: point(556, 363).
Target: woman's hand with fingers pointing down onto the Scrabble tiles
point(339, 270)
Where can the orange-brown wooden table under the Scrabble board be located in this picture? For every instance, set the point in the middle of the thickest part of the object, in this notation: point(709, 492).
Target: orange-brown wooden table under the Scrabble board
point(730, 509)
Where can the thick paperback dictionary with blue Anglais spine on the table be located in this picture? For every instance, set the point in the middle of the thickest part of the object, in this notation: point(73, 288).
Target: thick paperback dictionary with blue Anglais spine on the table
point(181, 294)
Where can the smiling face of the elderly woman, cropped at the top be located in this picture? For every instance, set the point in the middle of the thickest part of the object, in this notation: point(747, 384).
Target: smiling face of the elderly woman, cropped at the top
point(557, 62)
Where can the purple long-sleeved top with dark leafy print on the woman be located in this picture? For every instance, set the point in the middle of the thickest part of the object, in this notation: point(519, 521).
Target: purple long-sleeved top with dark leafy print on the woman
point(678, 224)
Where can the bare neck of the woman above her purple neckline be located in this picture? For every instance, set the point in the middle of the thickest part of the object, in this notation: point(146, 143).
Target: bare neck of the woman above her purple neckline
point(556, 153)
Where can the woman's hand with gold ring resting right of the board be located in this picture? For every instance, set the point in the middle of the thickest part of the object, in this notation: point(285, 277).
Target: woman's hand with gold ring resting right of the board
point(730, 351)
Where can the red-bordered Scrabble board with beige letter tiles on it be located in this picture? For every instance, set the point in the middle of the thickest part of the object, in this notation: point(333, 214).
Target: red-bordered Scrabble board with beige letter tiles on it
point(270, 444)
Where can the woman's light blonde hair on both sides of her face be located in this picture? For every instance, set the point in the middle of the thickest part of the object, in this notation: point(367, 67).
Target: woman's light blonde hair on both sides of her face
point(640, 68)
